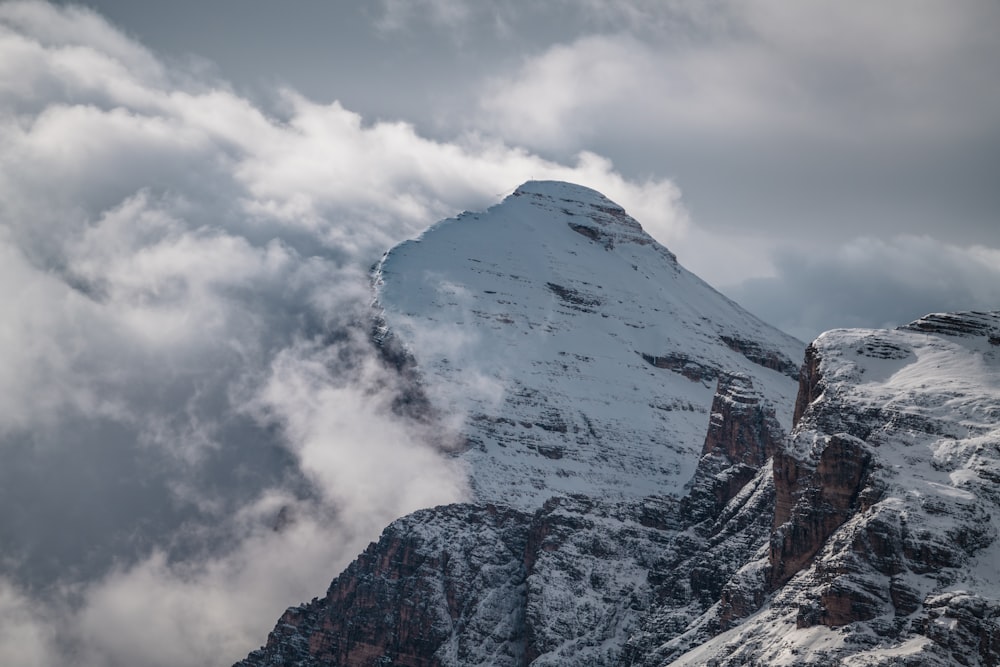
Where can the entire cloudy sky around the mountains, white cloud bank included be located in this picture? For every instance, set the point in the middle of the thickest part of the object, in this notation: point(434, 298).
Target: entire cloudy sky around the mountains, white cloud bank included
point(191, 194)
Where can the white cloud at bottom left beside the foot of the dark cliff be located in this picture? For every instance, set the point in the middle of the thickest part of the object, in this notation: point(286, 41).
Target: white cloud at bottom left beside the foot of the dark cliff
point(163, 613)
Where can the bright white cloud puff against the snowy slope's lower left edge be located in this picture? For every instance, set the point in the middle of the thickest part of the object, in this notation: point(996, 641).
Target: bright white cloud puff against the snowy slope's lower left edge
point(341, 430)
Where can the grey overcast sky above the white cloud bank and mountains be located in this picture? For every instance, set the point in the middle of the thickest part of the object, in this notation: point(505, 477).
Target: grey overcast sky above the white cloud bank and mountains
point(807, 129)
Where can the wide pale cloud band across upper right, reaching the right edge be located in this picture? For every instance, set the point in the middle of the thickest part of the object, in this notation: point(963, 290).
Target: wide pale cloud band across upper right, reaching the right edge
point(733, 71)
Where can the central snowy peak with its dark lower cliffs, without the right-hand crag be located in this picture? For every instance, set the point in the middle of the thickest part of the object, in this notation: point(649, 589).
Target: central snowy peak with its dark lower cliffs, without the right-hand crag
point(588, 367)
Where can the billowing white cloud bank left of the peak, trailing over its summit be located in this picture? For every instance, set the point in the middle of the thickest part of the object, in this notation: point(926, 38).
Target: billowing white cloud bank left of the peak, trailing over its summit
point(196, 429)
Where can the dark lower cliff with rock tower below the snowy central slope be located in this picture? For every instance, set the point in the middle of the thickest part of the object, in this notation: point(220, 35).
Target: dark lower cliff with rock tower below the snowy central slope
point(579, 581)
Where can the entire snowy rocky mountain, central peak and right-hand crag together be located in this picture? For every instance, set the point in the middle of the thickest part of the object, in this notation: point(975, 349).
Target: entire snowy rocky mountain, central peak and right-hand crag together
point(641, 495)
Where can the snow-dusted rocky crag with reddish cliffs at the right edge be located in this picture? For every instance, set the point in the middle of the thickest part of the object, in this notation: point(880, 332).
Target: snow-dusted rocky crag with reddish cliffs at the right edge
point(840, 467)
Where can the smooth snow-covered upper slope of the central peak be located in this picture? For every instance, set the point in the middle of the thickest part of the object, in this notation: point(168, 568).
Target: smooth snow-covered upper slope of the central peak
point(582, 356)
